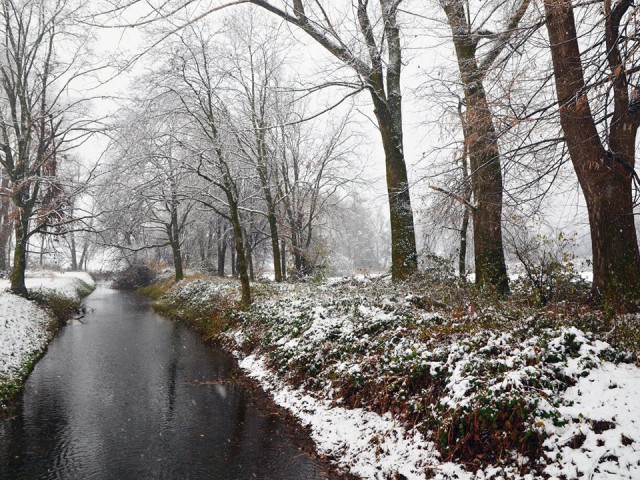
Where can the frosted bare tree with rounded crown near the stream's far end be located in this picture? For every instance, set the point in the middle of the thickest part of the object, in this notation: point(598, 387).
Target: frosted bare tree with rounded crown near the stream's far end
point(147, 174)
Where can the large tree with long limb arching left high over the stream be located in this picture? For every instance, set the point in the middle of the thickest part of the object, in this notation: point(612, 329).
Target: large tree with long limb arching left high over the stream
point(376, 59)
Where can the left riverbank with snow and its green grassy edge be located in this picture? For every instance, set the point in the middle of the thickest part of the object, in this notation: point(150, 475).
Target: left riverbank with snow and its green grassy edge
point(27, 326)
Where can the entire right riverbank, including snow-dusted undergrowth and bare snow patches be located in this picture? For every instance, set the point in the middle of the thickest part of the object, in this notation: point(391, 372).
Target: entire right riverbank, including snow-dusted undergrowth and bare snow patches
point(421, 381)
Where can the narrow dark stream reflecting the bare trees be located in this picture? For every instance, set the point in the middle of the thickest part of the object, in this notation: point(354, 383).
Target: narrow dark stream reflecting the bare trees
point(130, 395)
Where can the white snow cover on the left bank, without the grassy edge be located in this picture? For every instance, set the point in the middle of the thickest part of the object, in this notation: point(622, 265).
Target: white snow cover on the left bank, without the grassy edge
point(25, 328)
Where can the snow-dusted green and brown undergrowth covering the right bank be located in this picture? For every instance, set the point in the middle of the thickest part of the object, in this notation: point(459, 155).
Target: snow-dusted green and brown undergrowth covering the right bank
point(478, 375)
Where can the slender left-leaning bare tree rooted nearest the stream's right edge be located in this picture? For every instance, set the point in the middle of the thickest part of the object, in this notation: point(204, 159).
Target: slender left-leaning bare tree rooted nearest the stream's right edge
point(192, 77)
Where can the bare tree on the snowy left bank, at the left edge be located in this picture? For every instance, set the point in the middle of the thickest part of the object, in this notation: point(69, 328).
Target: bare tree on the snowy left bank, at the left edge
point(34, 118)
